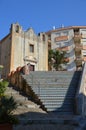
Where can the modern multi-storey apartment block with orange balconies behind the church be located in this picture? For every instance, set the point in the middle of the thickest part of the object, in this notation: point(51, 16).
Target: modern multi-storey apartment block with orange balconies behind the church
point(72, 40)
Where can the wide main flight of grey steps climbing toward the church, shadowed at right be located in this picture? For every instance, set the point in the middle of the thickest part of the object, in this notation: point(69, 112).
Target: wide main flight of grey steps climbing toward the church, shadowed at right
point(55, 90)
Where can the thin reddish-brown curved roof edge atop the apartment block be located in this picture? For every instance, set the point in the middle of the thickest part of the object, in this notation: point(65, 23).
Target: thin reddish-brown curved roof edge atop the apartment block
point(65, 28)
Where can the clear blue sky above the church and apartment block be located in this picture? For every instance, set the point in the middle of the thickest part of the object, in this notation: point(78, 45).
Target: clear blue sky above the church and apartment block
point(41, 15)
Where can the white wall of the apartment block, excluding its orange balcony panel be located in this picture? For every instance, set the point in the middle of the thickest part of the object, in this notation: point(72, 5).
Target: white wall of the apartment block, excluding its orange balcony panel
point(65, 43)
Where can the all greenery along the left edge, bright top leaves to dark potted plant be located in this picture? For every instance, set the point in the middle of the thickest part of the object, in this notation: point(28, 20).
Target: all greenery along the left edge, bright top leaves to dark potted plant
point(7, 106)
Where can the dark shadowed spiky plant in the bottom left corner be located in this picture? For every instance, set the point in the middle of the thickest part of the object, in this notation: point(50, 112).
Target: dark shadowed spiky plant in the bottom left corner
point(7, 105)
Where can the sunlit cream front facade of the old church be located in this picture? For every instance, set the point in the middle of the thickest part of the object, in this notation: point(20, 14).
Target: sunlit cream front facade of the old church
point(21, 53)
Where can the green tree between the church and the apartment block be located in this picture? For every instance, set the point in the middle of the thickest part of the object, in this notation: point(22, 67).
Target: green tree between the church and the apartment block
point(56, 58)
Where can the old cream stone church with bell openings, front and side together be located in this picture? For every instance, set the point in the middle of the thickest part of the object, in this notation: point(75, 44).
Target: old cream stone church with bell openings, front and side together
point(21, 47)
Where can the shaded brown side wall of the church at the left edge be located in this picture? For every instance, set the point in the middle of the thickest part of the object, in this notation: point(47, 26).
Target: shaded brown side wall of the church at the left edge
point(5, 57)
